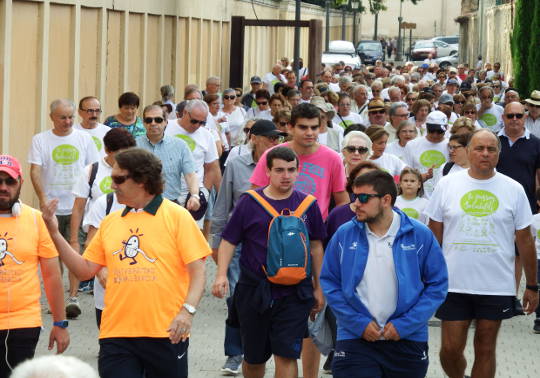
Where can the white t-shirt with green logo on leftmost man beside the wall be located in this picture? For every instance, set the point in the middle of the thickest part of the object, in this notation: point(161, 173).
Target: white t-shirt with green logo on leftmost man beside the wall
point(62, 160)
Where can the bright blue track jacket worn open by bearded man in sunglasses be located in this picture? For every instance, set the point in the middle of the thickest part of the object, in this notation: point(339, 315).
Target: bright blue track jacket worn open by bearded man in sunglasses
point(421, 273)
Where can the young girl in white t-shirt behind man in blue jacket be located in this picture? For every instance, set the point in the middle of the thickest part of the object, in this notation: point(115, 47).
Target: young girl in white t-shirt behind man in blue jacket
point(410, 199)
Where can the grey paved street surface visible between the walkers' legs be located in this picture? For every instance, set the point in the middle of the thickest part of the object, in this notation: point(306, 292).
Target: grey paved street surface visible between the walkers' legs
point(518, 347)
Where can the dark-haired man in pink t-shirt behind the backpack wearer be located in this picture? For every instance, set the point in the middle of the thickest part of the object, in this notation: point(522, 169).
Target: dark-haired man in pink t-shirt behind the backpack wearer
point(321, 173)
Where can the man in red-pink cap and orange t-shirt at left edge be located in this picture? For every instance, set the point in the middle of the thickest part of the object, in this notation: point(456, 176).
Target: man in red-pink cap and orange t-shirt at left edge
point(25, 245)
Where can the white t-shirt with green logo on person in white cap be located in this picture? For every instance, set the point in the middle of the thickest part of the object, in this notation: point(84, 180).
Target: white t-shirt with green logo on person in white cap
point(421, 154)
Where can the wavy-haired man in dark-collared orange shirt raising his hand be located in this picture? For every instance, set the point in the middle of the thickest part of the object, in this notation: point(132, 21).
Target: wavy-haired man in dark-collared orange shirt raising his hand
point(154, 253)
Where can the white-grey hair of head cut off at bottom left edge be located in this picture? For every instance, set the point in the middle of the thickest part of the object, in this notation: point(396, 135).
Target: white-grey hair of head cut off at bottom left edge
point(54, 366)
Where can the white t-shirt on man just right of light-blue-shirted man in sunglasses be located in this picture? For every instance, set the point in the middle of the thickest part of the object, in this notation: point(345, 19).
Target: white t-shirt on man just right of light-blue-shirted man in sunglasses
point(202, 146)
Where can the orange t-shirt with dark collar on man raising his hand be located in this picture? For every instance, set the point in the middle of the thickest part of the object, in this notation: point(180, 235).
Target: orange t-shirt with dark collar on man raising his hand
point(146, 256)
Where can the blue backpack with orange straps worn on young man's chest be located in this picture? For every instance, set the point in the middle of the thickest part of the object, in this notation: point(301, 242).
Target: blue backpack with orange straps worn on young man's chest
point(288, 258)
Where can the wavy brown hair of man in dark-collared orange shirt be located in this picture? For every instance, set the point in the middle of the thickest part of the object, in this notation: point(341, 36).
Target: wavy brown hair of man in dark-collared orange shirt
point(144, 168)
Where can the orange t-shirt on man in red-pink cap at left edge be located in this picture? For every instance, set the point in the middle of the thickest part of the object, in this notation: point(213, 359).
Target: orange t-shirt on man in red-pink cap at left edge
point(23, 240)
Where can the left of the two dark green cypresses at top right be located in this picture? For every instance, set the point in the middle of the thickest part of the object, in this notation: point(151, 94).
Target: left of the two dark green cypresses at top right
point(521, 42)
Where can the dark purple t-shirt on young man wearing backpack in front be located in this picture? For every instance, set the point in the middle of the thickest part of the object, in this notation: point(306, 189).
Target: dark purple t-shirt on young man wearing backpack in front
point(249, 225)
